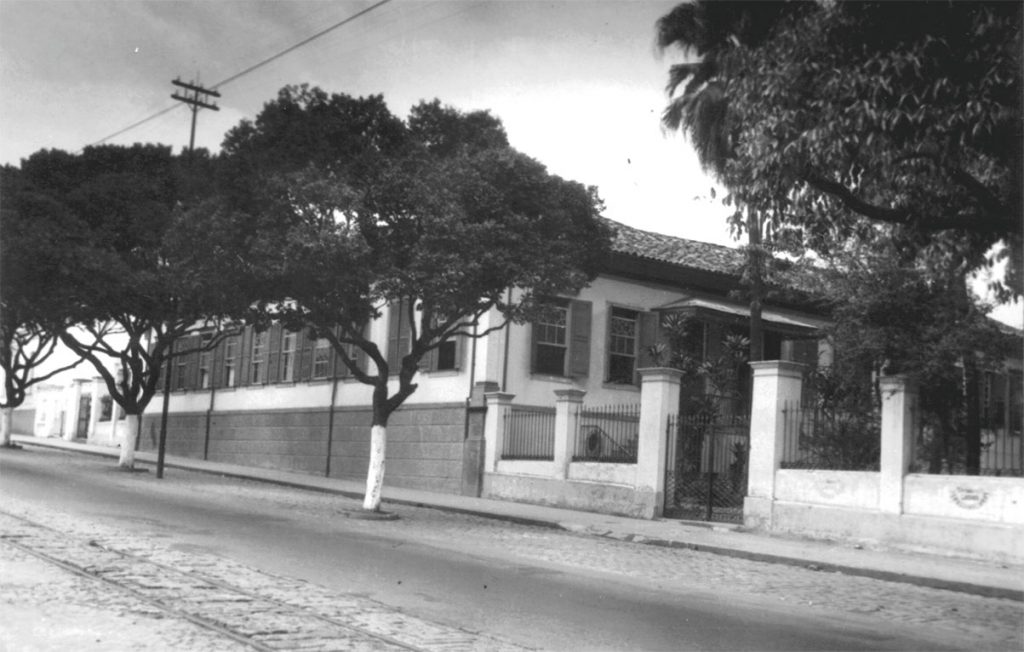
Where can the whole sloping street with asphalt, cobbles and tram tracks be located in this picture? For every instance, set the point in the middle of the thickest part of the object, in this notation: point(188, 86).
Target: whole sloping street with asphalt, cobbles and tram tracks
point(237, 563)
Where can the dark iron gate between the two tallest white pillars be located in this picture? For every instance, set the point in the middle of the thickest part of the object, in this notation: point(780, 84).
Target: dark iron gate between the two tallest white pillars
point(706, 468)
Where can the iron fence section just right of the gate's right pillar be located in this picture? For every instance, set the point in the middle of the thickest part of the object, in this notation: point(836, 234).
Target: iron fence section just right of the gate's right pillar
point(827, 440)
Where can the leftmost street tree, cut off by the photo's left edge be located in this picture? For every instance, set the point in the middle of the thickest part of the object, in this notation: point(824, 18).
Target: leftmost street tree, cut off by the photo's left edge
point(30, 258)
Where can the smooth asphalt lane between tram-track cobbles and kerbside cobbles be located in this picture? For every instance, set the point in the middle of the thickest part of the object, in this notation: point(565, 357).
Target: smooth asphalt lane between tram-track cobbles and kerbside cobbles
point(468, 582)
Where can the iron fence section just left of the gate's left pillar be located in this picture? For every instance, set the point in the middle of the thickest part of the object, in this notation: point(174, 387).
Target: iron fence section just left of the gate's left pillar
point(608, 434)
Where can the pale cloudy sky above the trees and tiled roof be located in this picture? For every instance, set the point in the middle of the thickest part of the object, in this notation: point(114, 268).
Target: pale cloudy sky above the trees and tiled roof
point(579, 84)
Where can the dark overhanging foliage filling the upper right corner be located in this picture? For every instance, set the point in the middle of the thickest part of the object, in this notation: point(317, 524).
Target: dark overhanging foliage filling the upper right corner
point(835, 119)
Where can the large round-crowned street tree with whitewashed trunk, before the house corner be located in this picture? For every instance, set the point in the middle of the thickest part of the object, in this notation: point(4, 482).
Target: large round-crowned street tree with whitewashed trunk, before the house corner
point(358, 210)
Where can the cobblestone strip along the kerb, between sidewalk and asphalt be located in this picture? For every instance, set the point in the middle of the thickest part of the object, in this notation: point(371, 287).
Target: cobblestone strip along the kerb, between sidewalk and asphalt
point(986, 623)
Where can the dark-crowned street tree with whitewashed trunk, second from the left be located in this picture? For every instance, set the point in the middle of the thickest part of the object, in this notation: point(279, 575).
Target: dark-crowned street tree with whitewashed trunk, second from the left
point(143, 271)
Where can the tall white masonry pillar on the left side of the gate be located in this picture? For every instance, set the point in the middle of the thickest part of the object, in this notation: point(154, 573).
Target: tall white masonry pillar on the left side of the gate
point(659, 400)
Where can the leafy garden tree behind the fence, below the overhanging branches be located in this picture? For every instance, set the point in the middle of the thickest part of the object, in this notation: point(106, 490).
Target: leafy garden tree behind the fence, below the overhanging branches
point(889, 317)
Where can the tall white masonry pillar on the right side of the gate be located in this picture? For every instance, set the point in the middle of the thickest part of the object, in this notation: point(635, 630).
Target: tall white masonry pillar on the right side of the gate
point(777, 383)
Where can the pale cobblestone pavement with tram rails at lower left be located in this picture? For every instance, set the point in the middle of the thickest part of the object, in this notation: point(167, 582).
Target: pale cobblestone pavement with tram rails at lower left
point(133, 594)
